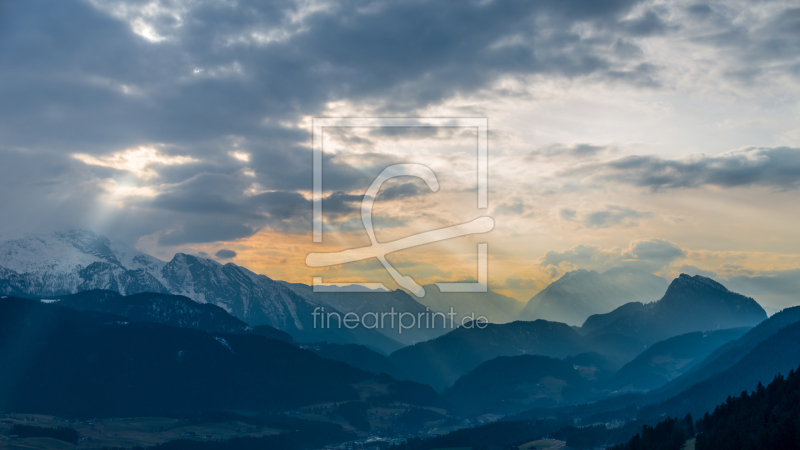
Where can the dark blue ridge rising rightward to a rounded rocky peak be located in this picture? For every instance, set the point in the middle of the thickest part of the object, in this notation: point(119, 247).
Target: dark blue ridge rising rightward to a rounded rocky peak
point(689, 304)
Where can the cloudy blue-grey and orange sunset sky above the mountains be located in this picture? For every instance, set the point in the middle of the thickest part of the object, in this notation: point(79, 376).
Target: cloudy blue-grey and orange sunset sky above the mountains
point(659, 135)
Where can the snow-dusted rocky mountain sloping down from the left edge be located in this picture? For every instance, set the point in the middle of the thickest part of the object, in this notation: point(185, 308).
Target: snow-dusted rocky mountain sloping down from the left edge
point(58, 264)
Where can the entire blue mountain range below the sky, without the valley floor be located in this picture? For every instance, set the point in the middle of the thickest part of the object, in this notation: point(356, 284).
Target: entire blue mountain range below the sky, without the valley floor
point(115, 316)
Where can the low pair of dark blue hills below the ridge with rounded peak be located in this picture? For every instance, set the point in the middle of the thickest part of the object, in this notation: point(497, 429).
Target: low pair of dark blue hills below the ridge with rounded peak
point(509, 384)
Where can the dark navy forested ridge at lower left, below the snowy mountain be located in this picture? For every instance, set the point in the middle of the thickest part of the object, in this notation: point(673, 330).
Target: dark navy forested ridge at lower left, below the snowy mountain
point(85, 363)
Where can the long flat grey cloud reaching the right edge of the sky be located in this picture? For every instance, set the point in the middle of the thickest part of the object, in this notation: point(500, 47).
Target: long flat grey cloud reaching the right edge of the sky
point(777, 168)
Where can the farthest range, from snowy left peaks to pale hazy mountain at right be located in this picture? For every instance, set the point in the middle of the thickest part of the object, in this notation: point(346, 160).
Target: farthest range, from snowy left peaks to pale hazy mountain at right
point(61, 263)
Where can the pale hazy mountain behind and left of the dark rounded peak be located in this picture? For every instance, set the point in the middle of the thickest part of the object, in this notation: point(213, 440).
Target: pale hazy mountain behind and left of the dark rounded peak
point(581, 293)
